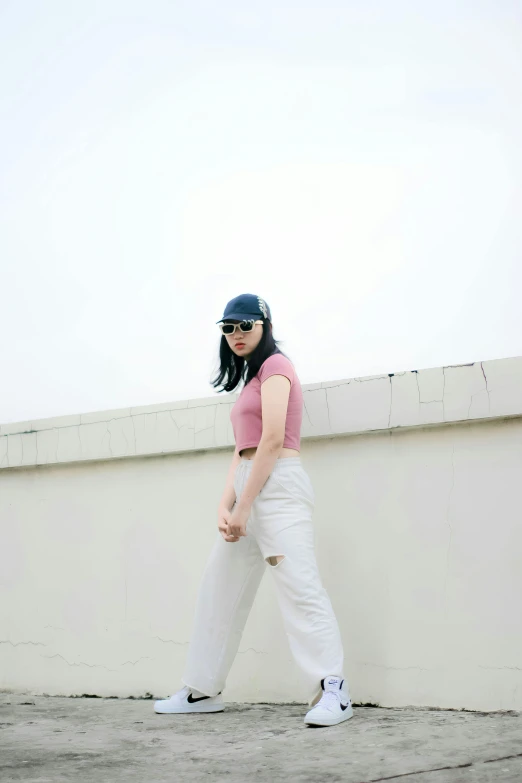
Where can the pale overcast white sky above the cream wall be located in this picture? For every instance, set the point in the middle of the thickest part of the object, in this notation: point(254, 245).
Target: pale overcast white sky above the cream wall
point(357, 164)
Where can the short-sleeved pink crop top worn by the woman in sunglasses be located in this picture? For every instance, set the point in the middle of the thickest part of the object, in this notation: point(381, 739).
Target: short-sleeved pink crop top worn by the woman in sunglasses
point(246, 415)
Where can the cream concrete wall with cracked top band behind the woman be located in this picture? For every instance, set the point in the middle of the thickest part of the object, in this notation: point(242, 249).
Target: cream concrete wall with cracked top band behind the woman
point(106, 520)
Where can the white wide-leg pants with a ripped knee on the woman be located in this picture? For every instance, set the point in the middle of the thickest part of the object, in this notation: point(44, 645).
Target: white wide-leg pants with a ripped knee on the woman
point(280, 524)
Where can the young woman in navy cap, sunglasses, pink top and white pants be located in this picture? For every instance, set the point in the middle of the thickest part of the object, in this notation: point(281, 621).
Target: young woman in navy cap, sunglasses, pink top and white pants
point(264, 520)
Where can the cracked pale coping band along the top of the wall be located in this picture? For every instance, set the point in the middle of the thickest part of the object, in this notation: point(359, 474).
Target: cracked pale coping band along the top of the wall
point(417, 398)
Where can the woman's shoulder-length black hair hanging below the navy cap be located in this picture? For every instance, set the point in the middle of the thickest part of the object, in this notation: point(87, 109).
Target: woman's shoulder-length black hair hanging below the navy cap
point(233, 368)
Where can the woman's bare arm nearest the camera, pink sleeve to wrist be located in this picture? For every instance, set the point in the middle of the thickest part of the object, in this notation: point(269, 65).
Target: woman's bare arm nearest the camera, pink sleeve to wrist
point(275, 392)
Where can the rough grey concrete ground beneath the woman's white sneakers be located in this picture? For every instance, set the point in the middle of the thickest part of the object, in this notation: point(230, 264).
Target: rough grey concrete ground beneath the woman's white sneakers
point(55, 739)
